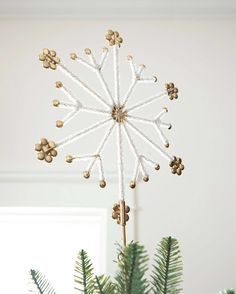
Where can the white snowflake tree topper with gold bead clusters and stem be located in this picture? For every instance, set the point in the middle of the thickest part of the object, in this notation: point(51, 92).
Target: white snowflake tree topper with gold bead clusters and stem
point(46, 150)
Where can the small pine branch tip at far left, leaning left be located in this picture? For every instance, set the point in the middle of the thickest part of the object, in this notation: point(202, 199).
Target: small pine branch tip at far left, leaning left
point(41, 284)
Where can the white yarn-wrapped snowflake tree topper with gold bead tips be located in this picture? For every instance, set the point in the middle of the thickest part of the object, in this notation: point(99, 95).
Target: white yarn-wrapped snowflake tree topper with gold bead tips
point(117, 116)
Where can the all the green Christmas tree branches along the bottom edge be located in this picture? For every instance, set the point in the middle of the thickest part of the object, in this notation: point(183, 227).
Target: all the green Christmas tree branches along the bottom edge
point(130, 277)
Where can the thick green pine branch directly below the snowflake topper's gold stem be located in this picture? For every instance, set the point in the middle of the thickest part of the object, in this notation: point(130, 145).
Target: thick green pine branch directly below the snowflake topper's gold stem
point(130, 278)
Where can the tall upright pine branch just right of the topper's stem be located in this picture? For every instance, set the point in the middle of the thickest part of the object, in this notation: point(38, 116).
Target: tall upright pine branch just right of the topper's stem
point(167, 272)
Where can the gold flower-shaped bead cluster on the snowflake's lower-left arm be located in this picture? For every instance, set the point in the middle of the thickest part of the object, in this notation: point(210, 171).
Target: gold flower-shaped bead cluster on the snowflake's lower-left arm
point(46, 150)
